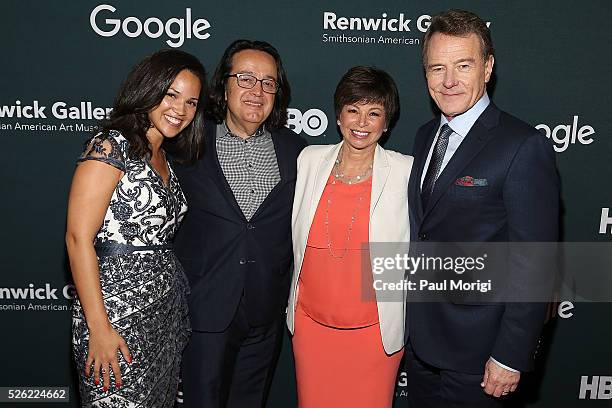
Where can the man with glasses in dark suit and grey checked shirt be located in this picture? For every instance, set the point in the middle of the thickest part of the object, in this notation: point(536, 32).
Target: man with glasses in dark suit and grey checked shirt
point(235, 242)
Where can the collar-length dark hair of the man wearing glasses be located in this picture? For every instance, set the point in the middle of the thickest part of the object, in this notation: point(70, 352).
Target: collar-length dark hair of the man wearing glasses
point(217, 107)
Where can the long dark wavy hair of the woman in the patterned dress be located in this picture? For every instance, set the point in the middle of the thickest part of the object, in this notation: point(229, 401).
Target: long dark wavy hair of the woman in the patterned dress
point(143, 90)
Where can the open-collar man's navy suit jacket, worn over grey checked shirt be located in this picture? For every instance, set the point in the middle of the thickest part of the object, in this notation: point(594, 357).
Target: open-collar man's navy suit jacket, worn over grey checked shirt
point(226, 256)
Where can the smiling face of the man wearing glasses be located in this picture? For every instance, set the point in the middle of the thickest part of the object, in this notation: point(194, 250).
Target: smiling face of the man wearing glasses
point(248, 109)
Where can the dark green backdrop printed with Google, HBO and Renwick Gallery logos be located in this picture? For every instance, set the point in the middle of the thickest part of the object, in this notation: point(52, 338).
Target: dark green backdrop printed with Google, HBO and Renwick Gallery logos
point(62, 63)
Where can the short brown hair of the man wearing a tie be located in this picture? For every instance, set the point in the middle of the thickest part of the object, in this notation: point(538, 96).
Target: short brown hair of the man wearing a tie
point(459, 23)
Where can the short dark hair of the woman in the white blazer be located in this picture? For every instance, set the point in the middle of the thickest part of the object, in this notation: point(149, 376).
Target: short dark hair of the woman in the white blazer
point(368, 84)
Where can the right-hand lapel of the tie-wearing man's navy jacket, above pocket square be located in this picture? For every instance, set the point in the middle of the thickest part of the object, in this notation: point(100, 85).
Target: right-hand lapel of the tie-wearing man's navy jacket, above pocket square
point(474, 142)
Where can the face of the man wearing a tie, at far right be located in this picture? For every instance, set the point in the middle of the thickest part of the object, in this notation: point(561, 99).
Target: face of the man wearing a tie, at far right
point(456, 73)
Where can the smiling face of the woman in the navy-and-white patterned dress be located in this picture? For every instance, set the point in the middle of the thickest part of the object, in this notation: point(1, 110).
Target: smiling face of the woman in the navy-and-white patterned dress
point(177, 109)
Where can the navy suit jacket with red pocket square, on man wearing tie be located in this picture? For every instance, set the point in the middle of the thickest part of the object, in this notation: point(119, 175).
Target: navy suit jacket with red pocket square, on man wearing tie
point(520, 203)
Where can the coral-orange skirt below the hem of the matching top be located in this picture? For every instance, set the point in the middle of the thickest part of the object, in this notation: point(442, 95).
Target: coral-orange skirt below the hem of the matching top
point(338, 368)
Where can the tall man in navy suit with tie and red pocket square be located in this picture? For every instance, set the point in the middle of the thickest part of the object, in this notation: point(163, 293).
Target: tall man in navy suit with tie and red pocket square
point(480, 175)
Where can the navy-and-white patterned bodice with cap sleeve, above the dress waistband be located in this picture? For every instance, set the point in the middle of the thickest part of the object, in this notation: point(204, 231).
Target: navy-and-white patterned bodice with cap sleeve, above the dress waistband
point(143, 210)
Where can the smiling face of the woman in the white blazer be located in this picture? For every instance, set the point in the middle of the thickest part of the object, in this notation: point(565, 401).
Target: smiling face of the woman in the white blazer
point(362, 124)
